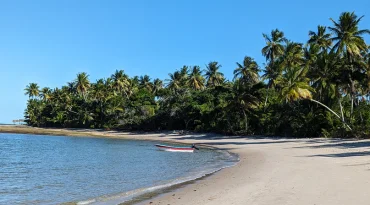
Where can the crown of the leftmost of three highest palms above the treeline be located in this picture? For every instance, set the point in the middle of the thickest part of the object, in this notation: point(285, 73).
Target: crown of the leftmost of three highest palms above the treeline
point(274, 47)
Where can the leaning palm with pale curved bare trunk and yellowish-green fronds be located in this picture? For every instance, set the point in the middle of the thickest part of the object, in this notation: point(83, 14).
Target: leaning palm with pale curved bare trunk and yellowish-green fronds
point(295, 87)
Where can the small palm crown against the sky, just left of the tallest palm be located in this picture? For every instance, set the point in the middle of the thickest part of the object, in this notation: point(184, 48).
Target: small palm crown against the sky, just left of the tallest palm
point(320, 38)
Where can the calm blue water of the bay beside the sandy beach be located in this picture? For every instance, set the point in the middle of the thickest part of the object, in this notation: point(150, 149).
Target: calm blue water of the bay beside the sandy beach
point(56, 169)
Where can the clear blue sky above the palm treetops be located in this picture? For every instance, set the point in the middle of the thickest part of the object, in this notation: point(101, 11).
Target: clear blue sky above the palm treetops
point(49, 42)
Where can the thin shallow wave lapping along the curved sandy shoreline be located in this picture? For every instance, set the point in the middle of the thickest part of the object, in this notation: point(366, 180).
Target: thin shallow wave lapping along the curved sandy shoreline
point(229, 160)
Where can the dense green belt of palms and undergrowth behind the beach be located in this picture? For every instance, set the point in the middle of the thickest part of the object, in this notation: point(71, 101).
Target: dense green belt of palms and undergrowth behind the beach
point(320, 88)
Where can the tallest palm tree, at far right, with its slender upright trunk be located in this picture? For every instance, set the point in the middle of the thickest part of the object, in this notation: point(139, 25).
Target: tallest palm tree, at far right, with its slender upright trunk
point(349, 44)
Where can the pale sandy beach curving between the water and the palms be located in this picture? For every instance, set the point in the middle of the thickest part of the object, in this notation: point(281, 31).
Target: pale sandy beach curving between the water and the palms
point(270, 171)
